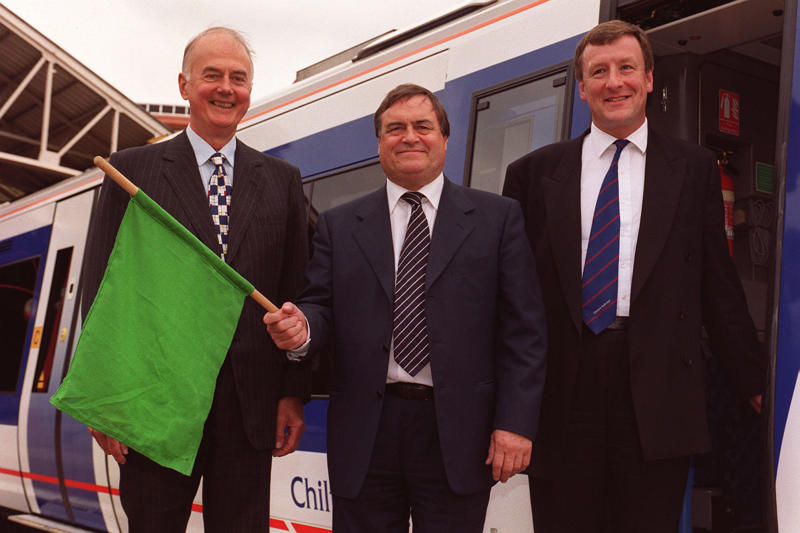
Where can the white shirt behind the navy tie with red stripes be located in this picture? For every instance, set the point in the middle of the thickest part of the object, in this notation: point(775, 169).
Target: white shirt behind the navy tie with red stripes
point(596, 157)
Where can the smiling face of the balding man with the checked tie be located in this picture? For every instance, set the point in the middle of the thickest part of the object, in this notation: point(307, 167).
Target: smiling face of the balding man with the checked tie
point(217, 88)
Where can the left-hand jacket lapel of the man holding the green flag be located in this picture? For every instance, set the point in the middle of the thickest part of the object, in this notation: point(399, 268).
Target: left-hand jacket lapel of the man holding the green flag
point(373, 234)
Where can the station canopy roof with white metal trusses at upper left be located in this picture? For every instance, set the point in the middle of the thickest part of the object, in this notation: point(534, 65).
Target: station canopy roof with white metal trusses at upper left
point(56, 114)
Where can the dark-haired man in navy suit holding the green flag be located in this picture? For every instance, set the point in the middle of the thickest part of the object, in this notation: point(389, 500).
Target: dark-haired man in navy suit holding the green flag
point(421, 427)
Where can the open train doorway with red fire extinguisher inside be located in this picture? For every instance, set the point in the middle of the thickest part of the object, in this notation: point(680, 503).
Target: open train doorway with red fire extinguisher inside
point(727, 77)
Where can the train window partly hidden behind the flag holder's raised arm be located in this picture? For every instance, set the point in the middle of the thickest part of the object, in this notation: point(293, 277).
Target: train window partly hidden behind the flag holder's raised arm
point(324, 193)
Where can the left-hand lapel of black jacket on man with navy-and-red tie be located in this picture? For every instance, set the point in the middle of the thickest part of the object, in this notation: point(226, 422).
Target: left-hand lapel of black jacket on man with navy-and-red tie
point(562, 191)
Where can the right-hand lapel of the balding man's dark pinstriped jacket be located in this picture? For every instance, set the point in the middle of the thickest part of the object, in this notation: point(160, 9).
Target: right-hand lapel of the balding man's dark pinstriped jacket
point(248, 182)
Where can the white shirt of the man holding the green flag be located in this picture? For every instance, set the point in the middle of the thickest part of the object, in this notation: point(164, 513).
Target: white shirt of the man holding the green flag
point(399, 215)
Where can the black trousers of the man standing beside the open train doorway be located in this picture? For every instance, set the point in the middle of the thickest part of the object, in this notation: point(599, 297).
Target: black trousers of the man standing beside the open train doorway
point(605, 485)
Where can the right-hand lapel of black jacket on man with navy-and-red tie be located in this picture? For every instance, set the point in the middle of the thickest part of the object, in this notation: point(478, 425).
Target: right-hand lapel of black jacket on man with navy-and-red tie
point(664, 175)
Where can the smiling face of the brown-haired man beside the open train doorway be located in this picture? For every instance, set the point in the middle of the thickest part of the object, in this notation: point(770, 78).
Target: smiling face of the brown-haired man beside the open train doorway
point(615, 85)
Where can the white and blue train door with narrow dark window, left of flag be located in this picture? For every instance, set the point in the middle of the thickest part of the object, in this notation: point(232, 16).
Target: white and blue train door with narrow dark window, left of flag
point(55, 451)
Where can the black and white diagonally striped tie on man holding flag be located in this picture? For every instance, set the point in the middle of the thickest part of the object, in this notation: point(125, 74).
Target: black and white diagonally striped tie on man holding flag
point(410, 332)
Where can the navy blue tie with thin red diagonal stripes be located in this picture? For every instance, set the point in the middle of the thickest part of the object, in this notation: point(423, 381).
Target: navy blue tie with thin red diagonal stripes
point(601, 269)
